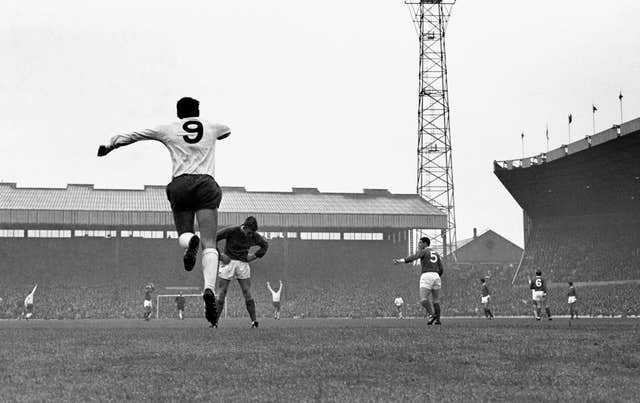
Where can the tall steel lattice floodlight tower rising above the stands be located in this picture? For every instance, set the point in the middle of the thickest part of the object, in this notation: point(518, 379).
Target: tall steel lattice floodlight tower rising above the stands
point(435, 167)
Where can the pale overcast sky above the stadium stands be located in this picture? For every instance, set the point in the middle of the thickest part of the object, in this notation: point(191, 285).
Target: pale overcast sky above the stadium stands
point(318, 94)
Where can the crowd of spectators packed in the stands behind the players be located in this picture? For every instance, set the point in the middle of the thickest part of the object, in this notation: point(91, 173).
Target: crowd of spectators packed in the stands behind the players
point(343, 283)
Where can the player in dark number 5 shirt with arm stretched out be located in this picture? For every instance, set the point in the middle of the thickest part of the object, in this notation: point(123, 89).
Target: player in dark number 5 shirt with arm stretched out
point(430, 282)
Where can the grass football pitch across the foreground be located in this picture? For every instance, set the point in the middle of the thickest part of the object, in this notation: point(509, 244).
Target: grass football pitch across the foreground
point(506, 359)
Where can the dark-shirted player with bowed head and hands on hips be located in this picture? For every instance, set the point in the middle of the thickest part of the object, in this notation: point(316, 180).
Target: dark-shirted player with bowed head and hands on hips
point(235, 263)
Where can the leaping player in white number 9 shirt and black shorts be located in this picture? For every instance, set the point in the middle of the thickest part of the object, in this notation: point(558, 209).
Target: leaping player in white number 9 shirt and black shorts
point(193, 192)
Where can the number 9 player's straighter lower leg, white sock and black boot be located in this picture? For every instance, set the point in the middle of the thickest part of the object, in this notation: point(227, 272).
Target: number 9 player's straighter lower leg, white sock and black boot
point(208, 225)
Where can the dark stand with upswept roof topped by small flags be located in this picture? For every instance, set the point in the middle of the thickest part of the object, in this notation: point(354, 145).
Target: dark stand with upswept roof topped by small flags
point(581, 207)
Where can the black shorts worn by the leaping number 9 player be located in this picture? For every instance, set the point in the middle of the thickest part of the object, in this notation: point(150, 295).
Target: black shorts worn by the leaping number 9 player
point(193, 192)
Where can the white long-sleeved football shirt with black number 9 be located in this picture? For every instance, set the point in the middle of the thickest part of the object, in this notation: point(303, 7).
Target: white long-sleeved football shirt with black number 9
point(191, 143)
